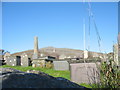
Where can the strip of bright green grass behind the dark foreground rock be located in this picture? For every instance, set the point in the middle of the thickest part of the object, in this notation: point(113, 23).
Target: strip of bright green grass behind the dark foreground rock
point(64, 74)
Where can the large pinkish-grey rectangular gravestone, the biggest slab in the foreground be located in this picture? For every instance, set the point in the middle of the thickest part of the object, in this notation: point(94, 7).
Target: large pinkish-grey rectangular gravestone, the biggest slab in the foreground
point(84, 73)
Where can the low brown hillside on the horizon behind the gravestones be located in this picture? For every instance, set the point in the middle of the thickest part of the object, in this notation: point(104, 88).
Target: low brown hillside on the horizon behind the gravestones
point(59, 52)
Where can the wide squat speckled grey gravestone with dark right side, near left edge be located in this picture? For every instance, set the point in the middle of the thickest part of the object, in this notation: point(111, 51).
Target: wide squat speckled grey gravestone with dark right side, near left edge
point(13, 60)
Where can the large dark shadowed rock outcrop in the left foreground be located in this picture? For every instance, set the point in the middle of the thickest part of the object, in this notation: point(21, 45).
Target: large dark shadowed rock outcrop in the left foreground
point(12, 78)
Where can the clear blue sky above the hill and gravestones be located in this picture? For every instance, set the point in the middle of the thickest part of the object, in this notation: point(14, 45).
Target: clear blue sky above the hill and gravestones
point(58, 24)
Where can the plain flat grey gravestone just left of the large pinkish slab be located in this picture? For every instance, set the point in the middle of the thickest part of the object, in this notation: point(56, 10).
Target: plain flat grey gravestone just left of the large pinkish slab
point(61, 65)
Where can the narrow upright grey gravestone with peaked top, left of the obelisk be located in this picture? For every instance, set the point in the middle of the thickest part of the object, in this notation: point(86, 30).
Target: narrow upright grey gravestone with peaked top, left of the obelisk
point(25, 60)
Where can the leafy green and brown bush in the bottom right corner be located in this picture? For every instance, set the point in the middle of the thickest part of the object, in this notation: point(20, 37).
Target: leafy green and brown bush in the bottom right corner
point(109, 75)
